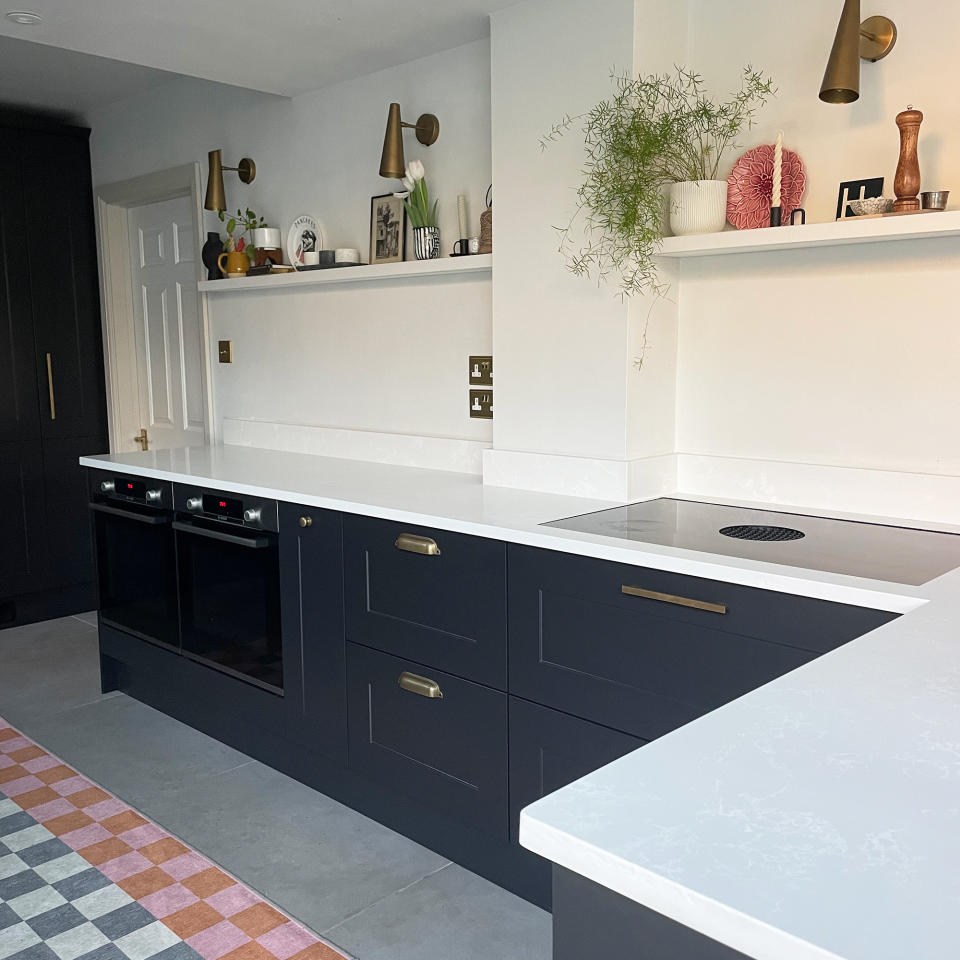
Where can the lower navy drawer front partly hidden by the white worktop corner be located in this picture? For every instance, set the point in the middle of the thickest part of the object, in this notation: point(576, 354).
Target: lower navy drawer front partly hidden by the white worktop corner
point(549, 749)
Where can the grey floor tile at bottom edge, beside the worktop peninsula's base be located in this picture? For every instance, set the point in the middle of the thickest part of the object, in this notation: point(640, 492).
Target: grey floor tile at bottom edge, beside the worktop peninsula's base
point(450, 915)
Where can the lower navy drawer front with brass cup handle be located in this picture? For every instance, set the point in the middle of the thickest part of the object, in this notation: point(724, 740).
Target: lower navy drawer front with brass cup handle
point(448, 752)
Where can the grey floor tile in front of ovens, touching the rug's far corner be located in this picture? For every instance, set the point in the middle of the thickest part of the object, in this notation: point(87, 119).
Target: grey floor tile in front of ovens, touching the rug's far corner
point(132, 749)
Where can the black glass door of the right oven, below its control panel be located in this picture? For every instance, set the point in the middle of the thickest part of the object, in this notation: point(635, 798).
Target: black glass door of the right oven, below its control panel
point(230, 600)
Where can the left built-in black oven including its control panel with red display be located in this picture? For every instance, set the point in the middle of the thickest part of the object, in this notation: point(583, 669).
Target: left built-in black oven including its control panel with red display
point(132, 521)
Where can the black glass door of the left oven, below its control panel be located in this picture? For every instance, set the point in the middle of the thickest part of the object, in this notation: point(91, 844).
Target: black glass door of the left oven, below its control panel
point(136, 571)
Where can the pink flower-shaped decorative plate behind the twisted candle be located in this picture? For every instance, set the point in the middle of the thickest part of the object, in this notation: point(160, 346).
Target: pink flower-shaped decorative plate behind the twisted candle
point(750, 187)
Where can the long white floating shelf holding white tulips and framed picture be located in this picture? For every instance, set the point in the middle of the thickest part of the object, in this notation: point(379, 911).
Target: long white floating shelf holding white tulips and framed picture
point(408, 270)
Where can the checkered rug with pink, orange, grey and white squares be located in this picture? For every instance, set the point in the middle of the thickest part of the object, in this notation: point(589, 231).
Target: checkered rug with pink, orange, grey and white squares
point(83, 876)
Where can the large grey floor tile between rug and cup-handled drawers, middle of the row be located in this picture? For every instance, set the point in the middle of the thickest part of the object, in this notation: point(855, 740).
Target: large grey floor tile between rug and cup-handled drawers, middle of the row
point(314, 857)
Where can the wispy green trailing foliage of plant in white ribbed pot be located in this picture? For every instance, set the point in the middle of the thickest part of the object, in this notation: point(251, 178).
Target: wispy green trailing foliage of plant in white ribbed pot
point(653, 131)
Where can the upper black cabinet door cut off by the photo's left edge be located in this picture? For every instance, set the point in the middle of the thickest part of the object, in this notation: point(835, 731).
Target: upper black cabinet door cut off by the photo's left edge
point(19, 409)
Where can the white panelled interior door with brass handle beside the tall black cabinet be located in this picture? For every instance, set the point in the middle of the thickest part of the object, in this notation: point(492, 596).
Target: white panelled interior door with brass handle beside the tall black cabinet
point(167, 330)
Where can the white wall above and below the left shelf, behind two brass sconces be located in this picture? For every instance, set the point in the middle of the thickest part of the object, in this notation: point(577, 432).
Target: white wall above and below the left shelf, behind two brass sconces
point(388, 358)
